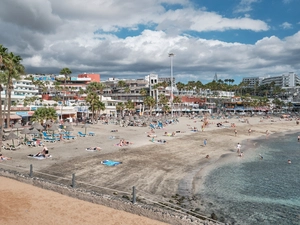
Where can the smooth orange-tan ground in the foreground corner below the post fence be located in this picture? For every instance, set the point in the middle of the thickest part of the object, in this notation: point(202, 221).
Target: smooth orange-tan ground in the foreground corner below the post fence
point(25, 204)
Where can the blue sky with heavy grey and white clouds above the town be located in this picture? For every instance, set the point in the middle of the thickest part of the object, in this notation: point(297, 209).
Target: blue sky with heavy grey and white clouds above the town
point(133, 38)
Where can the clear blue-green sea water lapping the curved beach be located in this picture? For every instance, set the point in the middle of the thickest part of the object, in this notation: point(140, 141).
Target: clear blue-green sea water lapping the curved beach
point(251, 190)
